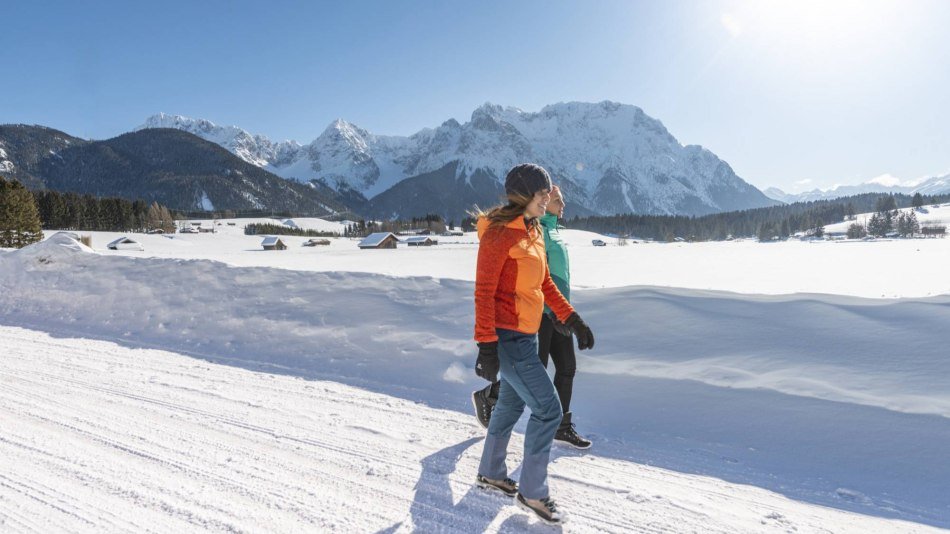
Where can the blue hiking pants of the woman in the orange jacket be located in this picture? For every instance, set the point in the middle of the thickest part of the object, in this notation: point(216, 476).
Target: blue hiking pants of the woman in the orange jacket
point(524, 381)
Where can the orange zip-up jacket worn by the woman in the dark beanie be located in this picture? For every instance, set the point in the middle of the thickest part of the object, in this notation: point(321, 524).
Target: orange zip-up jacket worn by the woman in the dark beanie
point(512, 282)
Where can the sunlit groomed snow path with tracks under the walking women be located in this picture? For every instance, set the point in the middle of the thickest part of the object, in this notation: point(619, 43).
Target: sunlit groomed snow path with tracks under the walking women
point(101, 437)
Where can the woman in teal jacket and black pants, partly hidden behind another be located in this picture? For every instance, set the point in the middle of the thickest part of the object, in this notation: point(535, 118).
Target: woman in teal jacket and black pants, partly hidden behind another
point(554, 339)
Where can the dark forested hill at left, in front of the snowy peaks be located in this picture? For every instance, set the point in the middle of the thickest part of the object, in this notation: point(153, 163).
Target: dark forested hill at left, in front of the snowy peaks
point(170, 166)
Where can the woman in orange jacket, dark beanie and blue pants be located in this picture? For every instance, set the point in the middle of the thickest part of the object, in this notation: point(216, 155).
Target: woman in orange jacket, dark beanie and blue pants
point(512, 286)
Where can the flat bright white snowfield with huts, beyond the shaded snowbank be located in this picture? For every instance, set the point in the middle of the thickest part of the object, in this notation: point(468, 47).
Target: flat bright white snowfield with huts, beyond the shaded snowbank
point(874, 269)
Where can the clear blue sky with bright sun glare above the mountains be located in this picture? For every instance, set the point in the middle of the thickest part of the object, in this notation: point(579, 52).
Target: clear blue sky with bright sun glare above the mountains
point(791, 94)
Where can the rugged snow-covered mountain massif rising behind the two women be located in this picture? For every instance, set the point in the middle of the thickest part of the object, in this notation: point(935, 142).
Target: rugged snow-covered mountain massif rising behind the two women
point(610, 158)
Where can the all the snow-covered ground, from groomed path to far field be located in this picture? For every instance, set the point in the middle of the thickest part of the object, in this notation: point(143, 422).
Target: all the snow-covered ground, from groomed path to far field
point(735, 387)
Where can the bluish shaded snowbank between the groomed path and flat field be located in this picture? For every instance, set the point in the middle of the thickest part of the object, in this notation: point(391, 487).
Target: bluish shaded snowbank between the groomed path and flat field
point(826, 399)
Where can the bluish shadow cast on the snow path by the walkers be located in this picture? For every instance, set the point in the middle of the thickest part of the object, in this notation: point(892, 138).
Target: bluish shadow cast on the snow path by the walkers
point(432, 508)
